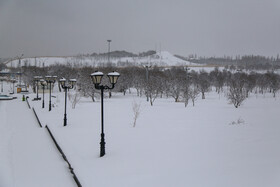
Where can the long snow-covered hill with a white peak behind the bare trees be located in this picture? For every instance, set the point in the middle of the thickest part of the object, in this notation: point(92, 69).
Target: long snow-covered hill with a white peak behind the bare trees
point(163, 58)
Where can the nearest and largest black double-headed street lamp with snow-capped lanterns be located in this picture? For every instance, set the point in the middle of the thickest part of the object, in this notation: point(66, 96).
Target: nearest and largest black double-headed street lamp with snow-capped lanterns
point(96, 79)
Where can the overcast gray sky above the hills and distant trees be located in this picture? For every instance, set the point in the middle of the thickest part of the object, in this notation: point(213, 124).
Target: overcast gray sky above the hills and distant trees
point(204, 27)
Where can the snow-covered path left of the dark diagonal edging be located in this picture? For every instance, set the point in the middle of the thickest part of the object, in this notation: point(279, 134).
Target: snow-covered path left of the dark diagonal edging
point(28, 156)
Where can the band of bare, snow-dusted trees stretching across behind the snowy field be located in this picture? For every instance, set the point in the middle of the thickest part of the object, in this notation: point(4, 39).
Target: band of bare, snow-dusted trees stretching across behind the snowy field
point(180, 83)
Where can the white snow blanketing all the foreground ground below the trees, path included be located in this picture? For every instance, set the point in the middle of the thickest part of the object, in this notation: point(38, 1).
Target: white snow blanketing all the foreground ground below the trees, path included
point(212, 144)
